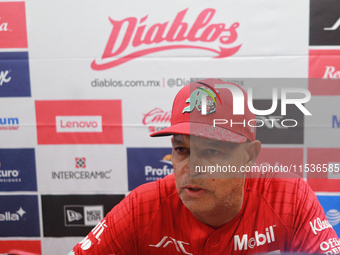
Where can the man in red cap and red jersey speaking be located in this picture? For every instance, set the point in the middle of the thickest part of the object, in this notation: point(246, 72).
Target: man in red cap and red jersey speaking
point(209, 205)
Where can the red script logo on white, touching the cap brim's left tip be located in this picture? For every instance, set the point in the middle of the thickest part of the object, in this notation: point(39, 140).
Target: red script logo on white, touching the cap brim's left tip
point(157, 119)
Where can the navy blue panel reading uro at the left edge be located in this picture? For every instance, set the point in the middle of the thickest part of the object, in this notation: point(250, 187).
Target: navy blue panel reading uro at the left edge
point(17, 170)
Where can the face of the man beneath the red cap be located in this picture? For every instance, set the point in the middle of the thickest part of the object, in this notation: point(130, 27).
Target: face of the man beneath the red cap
point(207, 195)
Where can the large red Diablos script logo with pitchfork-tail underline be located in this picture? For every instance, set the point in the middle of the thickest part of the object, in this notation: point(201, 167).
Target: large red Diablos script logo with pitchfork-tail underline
point(141, 39)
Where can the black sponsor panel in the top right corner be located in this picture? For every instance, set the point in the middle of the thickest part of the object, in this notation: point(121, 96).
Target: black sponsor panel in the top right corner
point(324, 29)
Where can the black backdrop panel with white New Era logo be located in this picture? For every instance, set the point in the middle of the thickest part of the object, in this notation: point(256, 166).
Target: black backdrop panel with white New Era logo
point(75, 215)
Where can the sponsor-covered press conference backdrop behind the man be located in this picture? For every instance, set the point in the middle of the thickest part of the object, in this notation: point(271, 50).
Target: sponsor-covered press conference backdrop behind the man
point(84, 83)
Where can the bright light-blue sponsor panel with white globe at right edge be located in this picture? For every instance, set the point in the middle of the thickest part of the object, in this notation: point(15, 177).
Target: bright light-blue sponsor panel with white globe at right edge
point(331, 206)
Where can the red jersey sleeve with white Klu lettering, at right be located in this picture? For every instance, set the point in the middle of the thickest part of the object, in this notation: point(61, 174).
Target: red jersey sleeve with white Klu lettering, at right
point(312, 231)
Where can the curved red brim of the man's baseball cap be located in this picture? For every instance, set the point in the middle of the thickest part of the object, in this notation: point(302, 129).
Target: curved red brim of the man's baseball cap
point(202, 130)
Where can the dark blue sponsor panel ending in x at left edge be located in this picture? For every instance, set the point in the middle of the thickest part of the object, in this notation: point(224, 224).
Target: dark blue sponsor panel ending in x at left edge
point(14, 74)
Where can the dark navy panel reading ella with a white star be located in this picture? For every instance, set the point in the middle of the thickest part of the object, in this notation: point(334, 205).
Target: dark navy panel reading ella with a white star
point(19, 216)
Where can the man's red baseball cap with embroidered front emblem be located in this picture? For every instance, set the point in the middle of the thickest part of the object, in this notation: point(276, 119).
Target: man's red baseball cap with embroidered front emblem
point(205, 108)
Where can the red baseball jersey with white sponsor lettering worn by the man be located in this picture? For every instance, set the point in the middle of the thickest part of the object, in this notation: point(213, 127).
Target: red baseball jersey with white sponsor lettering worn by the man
point(277, 215)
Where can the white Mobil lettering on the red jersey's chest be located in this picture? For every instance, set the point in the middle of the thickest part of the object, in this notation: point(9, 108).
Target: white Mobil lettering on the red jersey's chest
point(259, 239)
